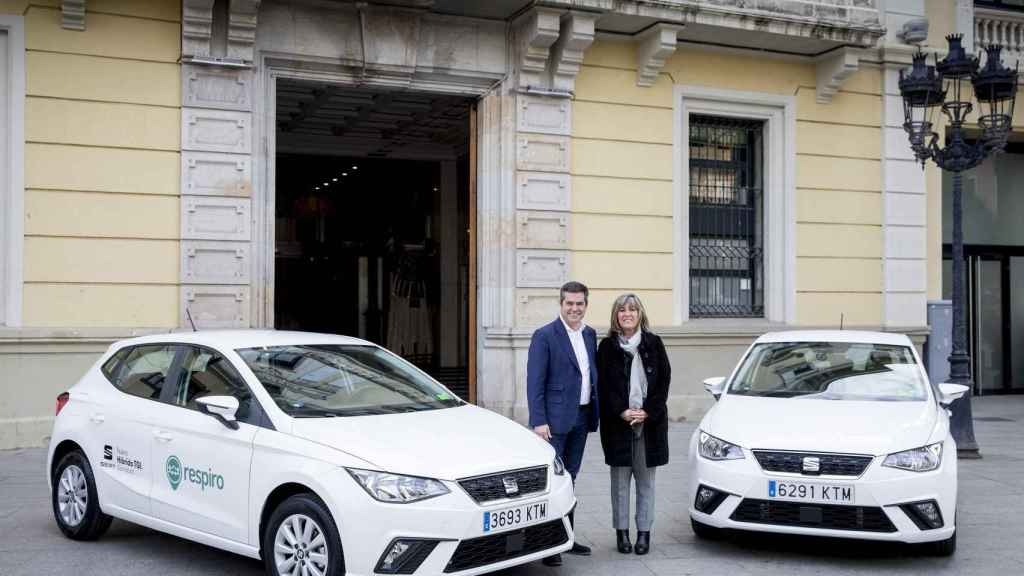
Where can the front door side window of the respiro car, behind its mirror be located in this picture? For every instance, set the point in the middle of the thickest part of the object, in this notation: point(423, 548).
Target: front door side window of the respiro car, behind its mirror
point(206, 373)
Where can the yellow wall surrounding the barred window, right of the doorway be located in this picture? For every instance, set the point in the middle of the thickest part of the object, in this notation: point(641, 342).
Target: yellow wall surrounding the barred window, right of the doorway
point(623, 173)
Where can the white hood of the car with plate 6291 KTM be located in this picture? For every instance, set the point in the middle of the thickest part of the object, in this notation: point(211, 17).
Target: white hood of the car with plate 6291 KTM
point(822, 426)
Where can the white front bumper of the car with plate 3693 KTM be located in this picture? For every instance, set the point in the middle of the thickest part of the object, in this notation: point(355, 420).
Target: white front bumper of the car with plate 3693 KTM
point(368, 527)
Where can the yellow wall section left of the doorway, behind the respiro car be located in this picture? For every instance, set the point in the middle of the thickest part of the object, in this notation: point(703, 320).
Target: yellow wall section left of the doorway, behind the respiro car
point(102, 174)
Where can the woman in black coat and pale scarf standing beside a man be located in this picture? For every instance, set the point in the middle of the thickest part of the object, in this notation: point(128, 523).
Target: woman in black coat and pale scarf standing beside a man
point(633, 387)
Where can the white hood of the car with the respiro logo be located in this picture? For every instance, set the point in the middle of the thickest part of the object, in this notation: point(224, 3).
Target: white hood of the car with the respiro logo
point(446, 444)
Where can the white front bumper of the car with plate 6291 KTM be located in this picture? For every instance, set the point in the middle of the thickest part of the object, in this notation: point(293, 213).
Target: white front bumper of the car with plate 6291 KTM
point(878, 495)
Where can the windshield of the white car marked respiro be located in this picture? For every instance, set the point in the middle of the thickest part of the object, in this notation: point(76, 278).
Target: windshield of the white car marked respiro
point(314, 382)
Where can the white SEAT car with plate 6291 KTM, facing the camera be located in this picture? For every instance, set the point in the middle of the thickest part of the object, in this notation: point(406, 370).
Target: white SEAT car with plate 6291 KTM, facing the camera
point(828, 434)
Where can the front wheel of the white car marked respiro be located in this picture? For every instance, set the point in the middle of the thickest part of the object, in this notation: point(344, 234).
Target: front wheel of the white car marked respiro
point(303, 540)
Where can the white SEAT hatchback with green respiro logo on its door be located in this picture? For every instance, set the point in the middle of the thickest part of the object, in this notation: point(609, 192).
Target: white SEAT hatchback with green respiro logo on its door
point(323, 456)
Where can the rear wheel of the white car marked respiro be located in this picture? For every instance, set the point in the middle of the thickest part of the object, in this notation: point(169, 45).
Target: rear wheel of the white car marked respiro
point(76, 505)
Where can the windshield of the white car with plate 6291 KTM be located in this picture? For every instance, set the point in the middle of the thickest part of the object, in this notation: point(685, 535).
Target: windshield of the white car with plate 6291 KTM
point(831, 372)
